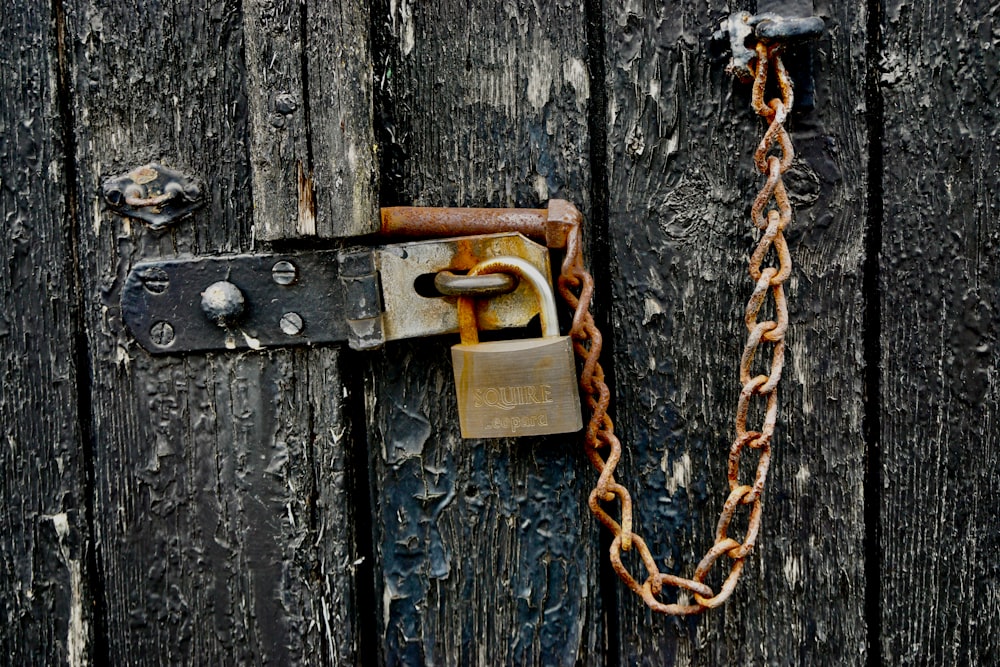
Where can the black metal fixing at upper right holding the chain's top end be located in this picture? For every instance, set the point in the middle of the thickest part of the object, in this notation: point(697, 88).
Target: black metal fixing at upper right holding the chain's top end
point(744, 29)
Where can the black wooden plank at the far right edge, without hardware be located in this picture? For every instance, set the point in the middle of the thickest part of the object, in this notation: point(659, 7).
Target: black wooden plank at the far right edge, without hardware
point(939, 525)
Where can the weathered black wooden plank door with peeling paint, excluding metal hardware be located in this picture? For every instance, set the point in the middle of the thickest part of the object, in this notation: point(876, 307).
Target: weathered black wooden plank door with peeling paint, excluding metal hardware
point(317, 505)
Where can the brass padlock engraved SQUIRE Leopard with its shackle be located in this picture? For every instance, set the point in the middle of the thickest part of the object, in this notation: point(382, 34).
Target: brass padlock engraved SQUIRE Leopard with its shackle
point(515, 387)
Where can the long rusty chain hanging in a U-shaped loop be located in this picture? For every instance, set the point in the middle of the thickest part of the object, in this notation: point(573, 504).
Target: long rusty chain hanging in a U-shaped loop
point(602, 446)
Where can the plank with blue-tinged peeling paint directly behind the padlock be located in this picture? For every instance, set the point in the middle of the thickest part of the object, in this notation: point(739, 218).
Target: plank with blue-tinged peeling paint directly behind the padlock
point(485, 549)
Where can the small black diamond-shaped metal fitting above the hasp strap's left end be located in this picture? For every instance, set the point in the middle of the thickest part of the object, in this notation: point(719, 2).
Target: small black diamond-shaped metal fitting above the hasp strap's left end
point(154, 194)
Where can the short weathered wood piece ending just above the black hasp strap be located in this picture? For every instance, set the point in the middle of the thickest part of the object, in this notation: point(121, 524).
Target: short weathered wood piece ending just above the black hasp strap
point(309, 92)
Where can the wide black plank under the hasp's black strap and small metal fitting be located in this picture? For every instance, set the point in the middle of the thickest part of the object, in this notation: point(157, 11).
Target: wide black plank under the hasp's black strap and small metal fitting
point(220, 489)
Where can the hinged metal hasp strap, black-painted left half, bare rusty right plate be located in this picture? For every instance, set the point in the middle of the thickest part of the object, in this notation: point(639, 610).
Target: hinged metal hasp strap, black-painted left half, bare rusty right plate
point(364, 296)
